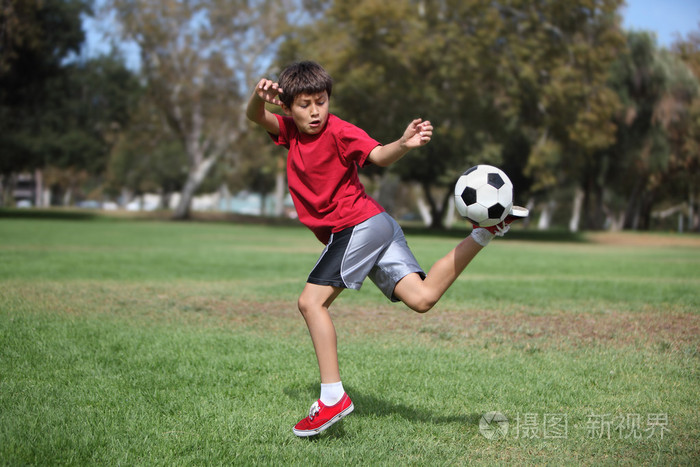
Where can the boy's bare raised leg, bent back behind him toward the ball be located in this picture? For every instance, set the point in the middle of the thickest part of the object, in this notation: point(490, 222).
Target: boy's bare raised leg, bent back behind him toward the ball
point(421, 295)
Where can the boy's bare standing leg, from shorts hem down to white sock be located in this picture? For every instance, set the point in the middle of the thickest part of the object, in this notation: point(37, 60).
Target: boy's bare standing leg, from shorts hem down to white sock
point(313, 305)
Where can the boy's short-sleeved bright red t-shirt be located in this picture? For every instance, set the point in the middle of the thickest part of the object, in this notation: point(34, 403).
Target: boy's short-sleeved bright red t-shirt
point(322, 175)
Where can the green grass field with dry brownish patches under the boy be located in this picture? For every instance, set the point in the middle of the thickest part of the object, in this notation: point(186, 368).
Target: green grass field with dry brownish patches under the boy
point(139, 342)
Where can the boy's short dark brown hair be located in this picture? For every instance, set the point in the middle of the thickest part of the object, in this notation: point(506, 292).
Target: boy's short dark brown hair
point(304, 77)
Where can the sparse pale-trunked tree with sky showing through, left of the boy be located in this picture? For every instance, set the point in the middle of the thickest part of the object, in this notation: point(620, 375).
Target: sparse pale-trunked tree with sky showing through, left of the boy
point(200, 59)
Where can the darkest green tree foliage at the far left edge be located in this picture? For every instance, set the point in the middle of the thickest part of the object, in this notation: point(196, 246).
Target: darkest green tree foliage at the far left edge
point(58, 113)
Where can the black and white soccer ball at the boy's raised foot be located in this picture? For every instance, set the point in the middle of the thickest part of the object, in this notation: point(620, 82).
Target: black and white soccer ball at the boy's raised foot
point(484, 195)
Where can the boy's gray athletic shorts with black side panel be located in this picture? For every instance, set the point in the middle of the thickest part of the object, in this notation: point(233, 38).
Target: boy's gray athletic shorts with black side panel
point(375, 248)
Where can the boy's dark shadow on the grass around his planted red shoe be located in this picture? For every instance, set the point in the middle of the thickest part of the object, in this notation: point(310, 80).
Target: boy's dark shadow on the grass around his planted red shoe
point(376, 406)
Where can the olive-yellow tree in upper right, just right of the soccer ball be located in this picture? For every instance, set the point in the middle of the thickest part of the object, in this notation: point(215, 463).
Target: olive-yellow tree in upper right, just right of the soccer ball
point(554, 59)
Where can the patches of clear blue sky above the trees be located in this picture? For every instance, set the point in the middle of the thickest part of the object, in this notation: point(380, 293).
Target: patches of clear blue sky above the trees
point(666, 18)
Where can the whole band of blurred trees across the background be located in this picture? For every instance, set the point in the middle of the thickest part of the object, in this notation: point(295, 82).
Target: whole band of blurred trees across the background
point(581, 115)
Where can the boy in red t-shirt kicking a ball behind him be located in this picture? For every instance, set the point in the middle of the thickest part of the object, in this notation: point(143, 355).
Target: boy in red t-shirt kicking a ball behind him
point(361, 239)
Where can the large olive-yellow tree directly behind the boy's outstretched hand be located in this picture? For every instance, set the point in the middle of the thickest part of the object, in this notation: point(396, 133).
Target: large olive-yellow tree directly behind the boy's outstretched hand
point(398, 59)
